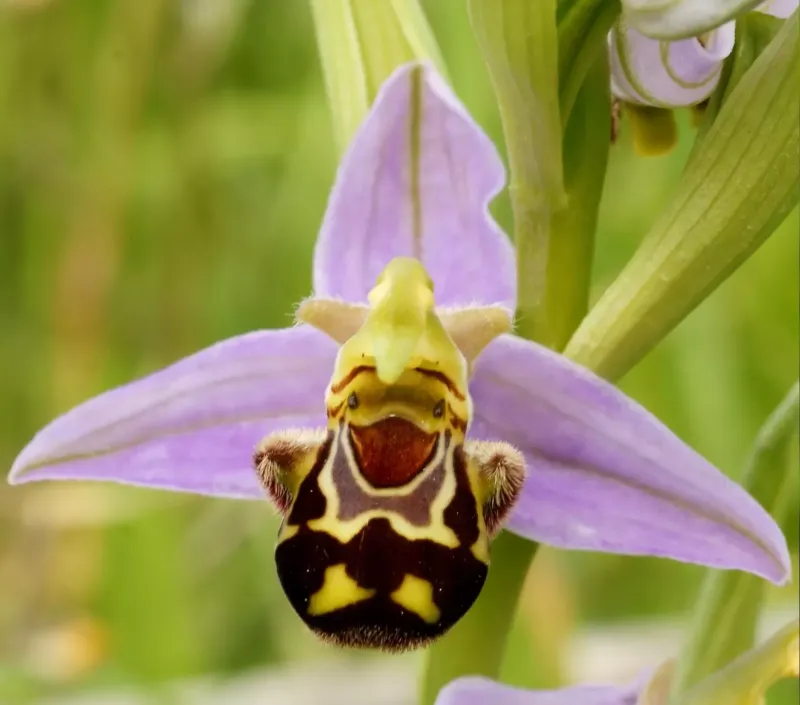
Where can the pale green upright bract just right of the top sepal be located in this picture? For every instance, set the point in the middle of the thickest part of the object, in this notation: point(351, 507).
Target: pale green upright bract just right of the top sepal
point(519, 42)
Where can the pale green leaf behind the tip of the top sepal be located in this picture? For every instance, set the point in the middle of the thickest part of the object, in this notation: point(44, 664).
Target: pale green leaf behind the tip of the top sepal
point(361, 42)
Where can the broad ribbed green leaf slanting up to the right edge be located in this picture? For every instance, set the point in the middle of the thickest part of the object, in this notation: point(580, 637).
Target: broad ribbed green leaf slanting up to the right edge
point(740, 185)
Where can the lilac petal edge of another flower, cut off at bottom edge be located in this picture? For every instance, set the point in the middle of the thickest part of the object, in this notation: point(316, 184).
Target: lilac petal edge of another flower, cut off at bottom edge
point(482, 691)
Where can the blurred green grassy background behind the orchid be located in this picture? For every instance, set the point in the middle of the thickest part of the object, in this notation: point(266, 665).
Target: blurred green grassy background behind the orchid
point(164, 167)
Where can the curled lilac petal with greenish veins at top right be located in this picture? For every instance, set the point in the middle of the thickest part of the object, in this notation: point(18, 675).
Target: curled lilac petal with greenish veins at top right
point(667, 74)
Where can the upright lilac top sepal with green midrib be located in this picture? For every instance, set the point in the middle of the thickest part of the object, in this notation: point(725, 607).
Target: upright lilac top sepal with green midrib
point(417, 181)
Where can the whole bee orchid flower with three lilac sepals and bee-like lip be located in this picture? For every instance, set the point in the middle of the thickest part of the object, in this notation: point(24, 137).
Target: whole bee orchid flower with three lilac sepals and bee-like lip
point(395, 426)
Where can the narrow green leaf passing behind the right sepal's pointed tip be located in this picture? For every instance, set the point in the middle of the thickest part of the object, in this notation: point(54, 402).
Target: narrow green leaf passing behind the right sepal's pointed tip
point(724, 622)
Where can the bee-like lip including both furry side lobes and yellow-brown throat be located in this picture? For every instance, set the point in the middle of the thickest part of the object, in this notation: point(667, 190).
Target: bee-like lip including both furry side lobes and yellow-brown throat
point(387, 512)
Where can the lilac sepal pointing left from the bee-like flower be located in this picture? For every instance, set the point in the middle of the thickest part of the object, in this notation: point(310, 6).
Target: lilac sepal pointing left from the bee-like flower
point(194, 425)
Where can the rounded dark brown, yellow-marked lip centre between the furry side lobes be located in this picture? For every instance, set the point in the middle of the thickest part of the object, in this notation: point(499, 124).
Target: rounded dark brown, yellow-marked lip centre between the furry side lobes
point(366, 567)
